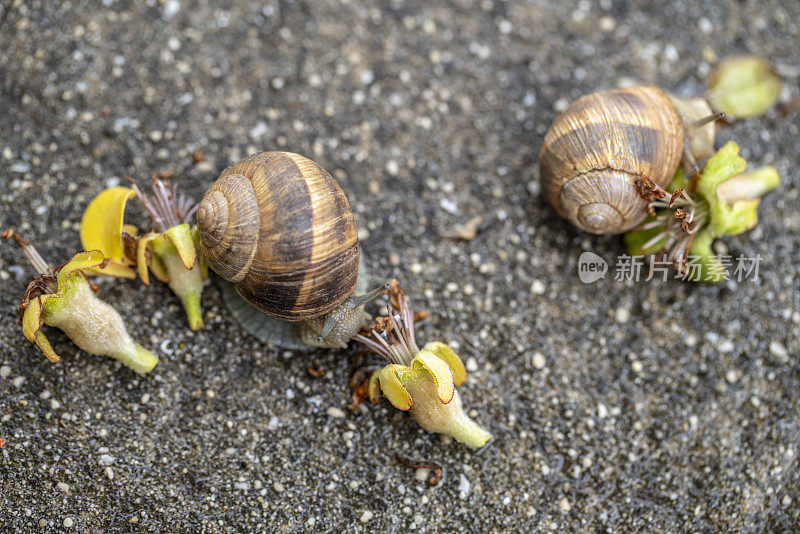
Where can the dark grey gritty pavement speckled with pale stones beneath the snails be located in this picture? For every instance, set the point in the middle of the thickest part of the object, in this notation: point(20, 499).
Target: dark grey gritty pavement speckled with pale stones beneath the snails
point(618, 406)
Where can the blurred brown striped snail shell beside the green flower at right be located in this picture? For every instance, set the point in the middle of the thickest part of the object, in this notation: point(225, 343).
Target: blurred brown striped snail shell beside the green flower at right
point(595, 150)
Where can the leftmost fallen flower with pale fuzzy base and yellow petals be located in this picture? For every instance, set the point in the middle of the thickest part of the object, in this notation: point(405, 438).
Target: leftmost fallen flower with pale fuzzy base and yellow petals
point(64, 298)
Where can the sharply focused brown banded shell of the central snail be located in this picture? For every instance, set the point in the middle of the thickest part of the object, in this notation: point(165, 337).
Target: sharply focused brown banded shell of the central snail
point(278, 226)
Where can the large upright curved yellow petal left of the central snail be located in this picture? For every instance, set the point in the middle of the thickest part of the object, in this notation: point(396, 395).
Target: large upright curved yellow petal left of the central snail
point(101, 225)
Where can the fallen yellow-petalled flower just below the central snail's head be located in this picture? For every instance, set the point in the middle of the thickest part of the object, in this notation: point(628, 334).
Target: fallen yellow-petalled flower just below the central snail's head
point(420, 381)
